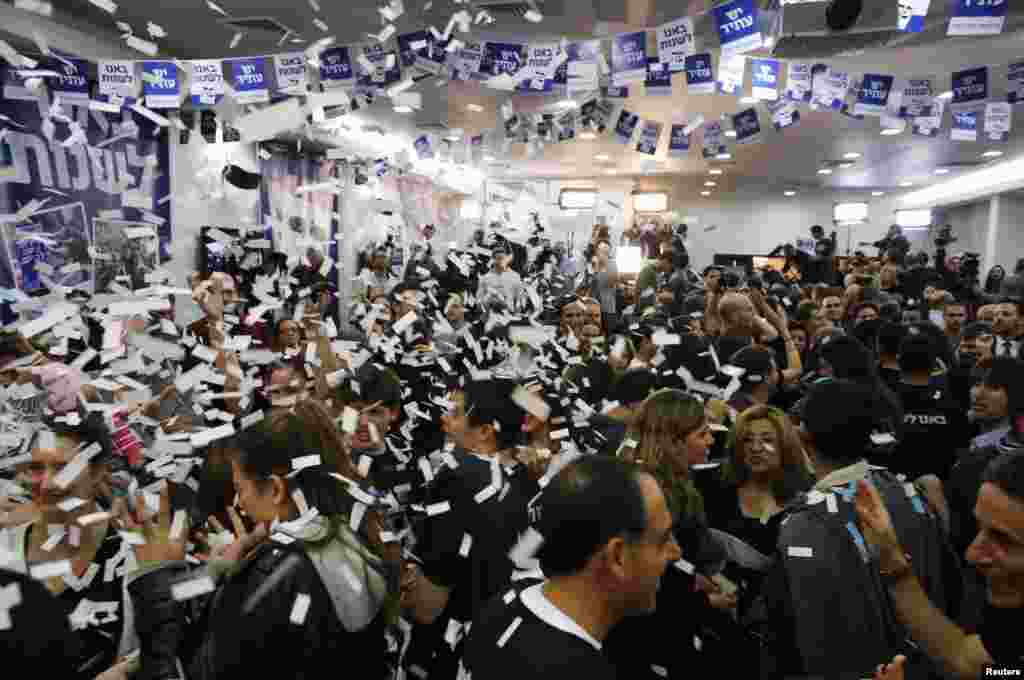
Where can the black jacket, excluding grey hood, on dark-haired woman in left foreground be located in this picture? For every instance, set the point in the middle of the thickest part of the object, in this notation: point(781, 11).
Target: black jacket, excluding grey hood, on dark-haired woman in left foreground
point(244, 628)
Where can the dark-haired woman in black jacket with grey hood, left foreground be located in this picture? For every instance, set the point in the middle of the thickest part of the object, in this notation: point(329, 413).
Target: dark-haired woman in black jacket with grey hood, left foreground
point(310, 599)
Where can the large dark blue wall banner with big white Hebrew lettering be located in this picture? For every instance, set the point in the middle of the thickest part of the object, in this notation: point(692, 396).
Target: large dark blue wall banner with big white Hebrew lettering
point(121, 173)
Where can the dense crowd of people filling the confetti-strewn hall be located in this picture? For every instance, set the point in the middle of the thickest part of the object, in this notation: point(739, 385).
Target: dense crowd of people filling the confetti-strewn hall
point(520, 462)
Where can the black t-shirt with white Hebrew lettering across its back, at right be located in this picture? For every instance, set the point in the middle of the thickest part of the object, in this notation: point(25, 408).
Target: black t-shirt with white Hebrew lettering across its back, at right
point(934, 428)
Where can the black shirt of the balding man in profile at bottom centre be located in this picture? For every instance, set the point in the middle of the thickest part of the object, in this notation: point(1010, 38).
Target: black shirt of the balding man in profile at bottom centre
point(509, 641)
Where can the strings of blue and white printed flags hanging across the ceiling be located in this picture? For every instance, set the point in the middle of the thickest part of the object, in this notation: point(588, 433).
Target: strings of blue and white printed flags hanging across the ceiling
point(391, 64)
